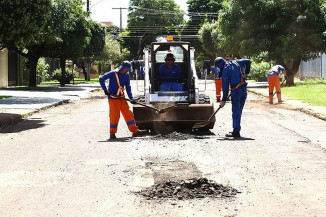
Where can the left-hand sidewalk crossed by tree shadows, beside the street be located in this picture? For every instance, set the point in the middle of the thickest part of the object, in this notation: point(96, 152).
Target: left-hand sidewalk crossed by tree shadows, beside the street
point(23, 103)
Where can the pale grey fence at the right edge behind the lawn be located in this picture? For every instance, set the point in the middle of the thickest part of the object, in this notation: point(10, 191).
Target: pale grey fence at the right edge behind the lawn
point(315, 68)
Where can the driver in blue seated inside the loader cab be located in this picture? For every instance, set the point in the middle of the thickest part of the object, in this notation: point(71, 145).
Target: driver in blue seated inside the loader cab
point(169, 74)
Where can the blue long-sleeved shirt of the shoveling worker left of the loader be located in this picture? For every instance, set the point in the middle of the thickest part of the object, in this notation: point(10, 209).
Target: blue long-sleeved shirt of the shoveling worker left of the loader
point(113, 87)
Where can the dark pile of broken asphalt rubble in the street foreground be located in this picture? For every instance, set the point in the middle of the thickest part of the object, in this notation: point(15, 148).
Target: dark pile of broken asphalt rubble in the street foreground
point(188, 189)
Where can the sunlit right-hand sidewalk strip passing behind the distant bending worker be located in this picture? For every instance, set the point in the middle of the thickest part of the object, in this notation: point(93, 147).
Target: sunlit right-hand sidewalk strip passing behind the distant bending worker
point(261, 88)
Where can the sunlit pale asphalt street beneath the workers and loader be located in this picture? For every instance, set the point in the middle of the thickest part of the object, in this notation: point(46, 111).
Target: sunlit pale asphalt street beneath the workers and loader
point(59, 162)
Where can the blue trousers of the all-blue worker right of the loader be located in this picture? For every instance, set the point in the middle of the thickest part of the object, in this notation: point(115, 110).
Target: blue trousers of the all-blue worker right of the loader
point(238, 99)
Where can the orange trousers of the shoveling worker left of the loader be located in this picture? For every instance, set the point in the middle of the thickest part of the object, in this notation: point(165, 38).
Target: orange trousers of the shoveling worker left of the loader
point(117, 106)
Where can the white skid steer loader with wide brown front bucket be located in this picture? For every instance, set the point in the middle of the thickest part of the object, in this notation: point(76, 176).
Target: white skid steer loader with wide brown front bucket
point(182, 109)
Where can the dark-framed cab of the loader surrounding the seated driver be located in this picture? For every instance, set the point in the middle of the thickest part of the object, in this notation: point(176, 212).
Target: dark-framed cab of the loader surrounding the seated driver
point(181, 51)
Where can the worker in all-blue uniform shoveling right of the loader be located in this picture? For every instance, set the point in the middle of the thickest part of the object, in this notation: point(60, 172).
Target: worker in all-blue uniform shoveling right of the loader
point(234, 73)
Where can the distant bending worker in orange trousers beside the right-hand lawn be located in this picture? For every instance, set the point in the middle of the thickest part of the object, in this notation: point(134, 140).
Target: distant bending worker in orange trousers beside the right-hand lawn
point(274, 81)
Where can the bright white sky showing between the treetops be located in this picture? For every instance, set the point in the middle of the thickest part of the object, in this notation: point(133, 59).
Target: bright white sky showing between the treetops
point(101, 10)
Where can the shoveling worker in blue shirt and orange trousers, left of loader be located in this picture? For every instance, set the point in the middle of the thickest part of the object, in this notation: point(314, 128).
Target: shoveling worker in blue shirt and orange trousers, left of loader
point(120, 79)
